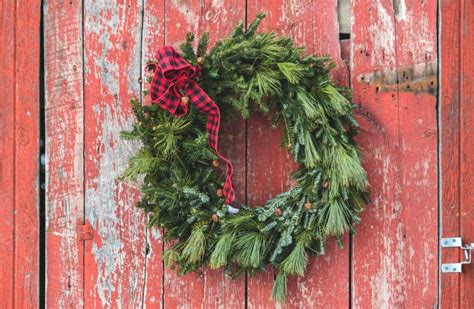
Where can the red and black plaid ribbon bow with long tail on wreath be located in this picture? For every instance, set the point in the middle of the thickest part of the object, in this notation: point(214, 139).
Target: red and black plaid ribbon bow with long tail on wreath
point(174, 78)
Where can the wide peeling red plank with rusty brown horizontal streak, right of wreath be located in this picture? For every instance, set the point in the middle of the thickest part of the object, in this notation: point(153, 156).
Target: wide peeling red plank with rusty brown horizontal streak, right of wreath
point(393, 65)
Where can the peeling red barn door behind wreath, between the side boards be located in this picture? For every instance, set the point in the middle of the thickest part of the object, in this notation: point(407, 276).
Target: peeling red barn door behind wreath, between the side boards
point(94, 57)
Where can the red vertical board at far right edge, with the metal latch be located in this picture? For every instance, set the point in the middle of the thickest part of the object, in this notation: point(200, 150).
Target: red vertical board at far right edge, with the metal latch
point(457, 146)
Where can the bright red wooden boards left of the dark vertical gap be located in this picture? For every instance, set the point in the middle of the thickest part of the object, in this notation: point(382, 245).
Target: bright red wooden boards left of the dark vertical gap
point(19, 153)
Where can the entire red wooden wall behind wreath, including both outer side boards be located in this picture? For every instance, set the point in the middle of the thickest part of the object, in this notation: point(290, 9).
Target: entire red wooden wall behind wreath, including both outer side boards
point(94, 56)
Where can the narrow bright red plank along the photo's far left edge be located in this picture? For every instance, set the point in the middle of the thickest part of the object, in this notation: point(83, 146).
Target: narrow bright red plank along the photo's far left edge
point(7, 151)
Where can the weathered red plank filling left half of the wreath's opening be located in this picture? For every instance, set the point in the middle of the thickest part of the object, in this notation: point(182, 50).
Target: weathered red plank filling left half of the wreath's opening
point(209, 289)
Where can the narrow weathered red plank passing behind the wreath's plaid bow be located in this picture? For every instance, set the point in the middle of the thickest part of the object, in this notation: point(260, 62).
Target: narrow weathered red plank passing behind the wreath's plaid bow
point(153, 36)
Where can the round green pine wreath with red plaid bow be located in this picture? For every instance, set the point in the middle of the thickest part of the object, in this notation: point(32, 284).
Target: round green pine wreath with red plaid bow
point(186, 193)
